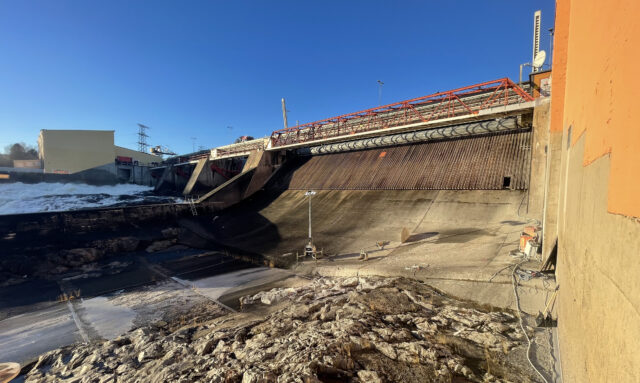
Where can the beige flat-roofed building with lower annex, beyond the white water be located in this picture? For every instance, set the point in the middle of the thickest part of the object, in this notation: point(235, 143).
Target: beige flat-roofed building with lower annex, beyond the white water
point(93, 153)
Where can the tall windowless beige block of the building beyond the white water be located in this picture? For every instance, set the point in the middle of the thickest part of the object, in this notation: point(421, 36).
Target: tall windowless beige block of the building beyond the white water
point(71, 151)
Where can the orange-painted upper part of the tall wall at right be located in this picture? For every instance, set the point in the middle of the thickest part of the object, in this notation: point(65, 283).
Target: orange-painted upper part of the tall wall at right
point(602, 90)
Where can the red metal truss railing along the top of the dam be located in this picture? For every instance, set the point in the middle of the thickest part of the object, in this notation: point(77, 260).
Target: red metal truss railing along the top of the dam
point(454, 103)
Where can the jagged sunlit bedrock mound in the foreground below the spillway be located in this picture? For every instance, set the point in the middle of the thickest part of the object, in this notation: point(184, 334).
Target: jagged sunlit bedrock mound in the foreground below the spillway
point(331, 330)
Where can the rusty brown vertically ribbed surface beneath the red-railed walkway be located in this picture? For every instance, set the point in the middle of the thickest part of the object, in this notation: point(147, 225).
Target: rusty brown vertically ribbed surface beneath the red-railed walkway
point(466, 163)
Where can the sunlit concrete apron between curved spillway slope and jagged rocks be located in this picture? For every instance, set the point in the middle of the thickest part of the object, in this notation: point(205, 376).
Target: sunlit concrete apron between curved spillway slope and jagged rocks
point(479, 270)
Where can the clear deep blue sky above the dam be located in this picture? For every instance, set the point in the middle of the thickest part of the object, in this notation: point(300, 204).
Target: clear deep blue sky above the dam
point(193, 68)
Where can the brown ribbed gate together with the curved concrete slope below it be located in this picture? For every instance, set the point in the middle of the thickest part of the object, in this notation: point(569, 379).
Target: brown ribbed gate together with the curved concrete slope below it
point(371, 195)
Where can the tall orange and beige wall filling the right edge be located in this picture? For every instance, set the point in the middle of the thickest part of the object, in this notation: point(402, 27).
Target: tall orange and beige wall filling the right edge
point(596, 49)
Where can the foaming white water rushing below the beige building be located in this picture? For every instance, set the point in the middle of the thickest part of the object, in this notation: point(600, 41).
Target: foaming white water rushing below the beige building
point(18, 198)
